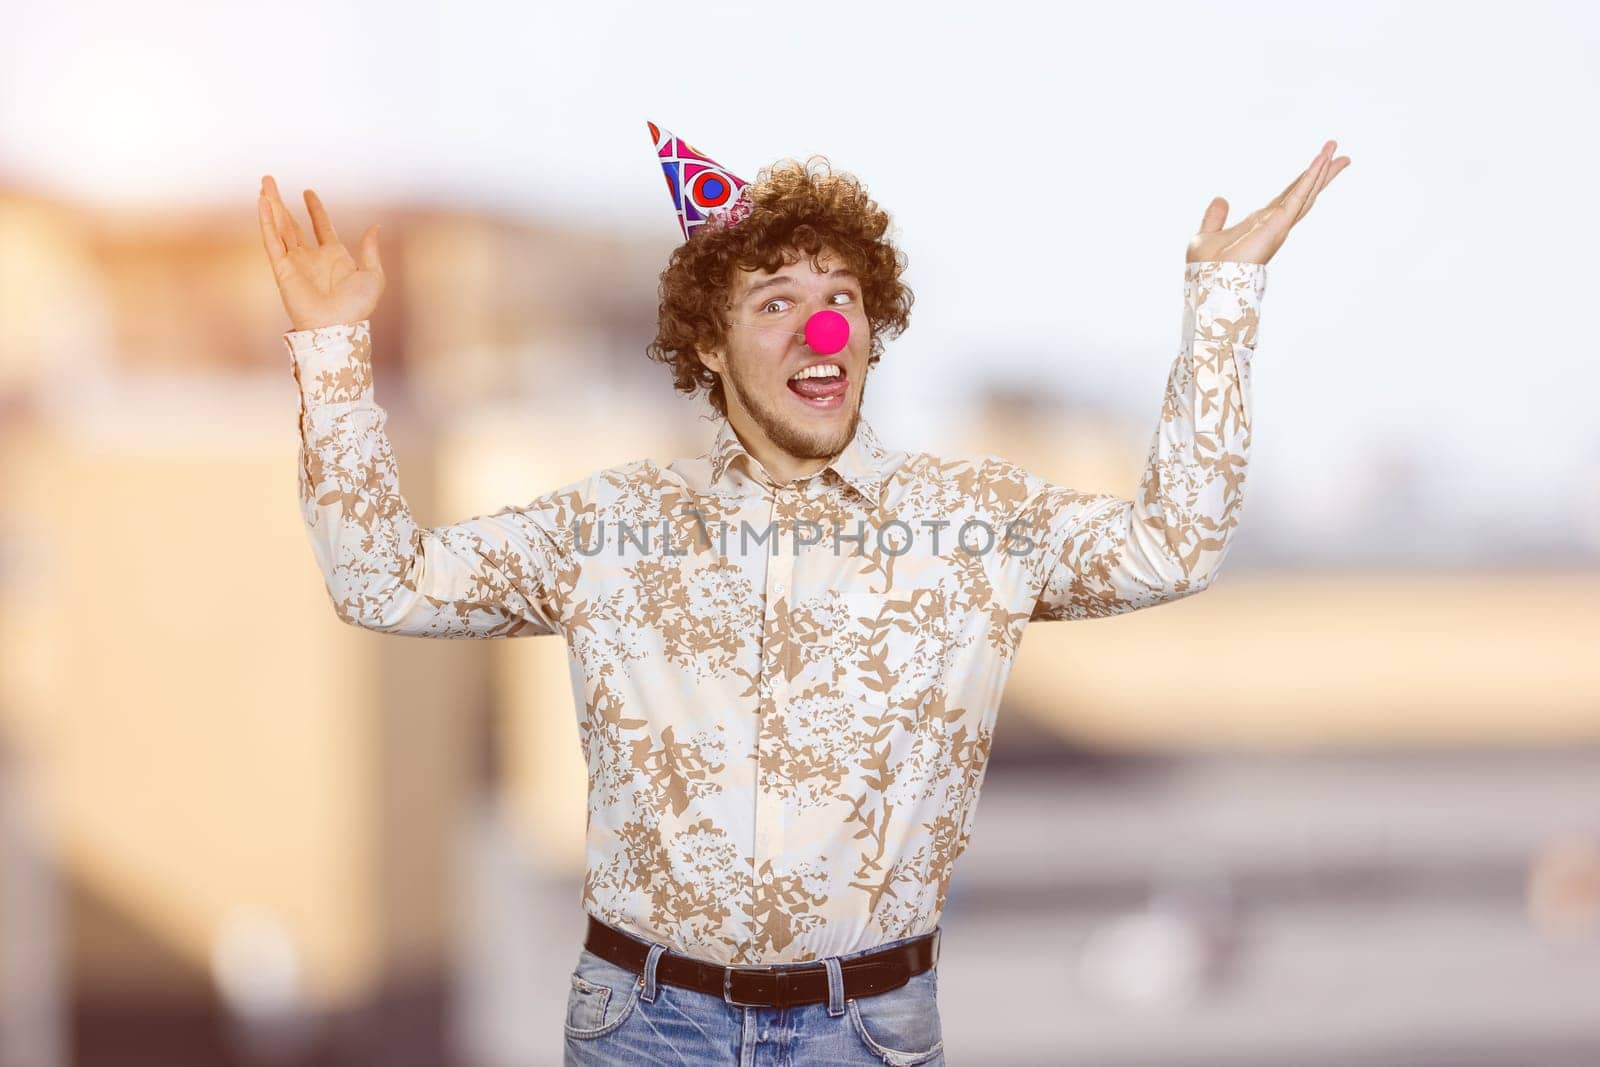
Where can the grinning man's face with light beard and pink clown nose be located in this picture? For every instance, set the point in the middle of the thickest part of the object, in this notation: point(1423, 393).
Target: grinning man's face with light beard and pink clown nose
point(767, 348)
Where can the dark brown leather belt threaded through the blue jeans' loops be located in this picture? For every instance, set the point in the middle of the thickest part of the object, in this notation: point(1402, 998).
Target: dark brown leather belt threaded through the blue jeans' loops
point(772, 985)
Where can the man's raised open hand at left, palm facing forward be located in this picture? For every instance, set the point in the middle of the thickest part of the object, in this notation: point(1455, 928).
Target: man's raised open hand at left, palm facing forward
point(321, 284)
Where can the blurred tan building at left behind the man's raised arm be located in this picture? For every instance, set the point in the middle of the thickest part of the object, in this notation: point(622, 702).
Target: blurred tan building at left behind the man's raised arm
point(258, 805)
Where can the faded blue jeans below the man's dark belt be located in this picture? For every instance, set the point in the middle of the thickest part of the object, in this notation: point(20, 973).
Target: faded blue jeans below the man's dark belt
point(615, 1017)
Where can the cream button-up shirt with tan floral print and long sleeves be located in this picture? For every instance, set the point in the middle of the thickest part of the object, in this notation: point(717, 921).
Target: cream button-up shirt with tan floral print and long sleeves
point(786, 693)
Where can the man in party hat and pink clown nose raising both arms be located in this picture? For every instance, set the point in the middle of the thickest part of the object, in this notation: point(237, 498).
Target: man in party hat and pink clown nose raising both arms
point(793, 647)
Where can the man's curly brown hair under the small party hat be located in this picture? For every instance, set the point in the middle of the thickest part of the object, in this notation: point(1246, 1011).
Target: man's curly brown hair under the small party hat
point(796, 209)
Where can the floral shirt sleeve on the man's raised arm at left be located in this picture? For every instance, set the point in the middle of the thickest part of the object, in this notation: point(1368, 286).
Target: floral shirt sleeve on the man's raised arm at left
point(490, 577)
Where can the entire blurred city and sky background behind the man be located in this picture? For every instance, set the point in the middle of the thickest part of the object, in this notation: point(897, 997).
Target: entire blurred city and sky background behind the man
point(1351, 812)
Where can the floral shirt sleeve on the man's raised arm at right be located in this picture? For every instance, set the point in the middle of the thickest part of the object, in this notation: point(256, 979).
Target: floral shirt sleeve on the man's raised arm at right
point(1106, 554)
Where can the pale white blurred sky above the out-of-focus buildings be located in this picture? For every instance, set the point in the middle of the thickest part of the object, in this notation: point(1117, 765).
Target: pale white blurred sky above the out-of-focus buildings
point(1046, 167)
